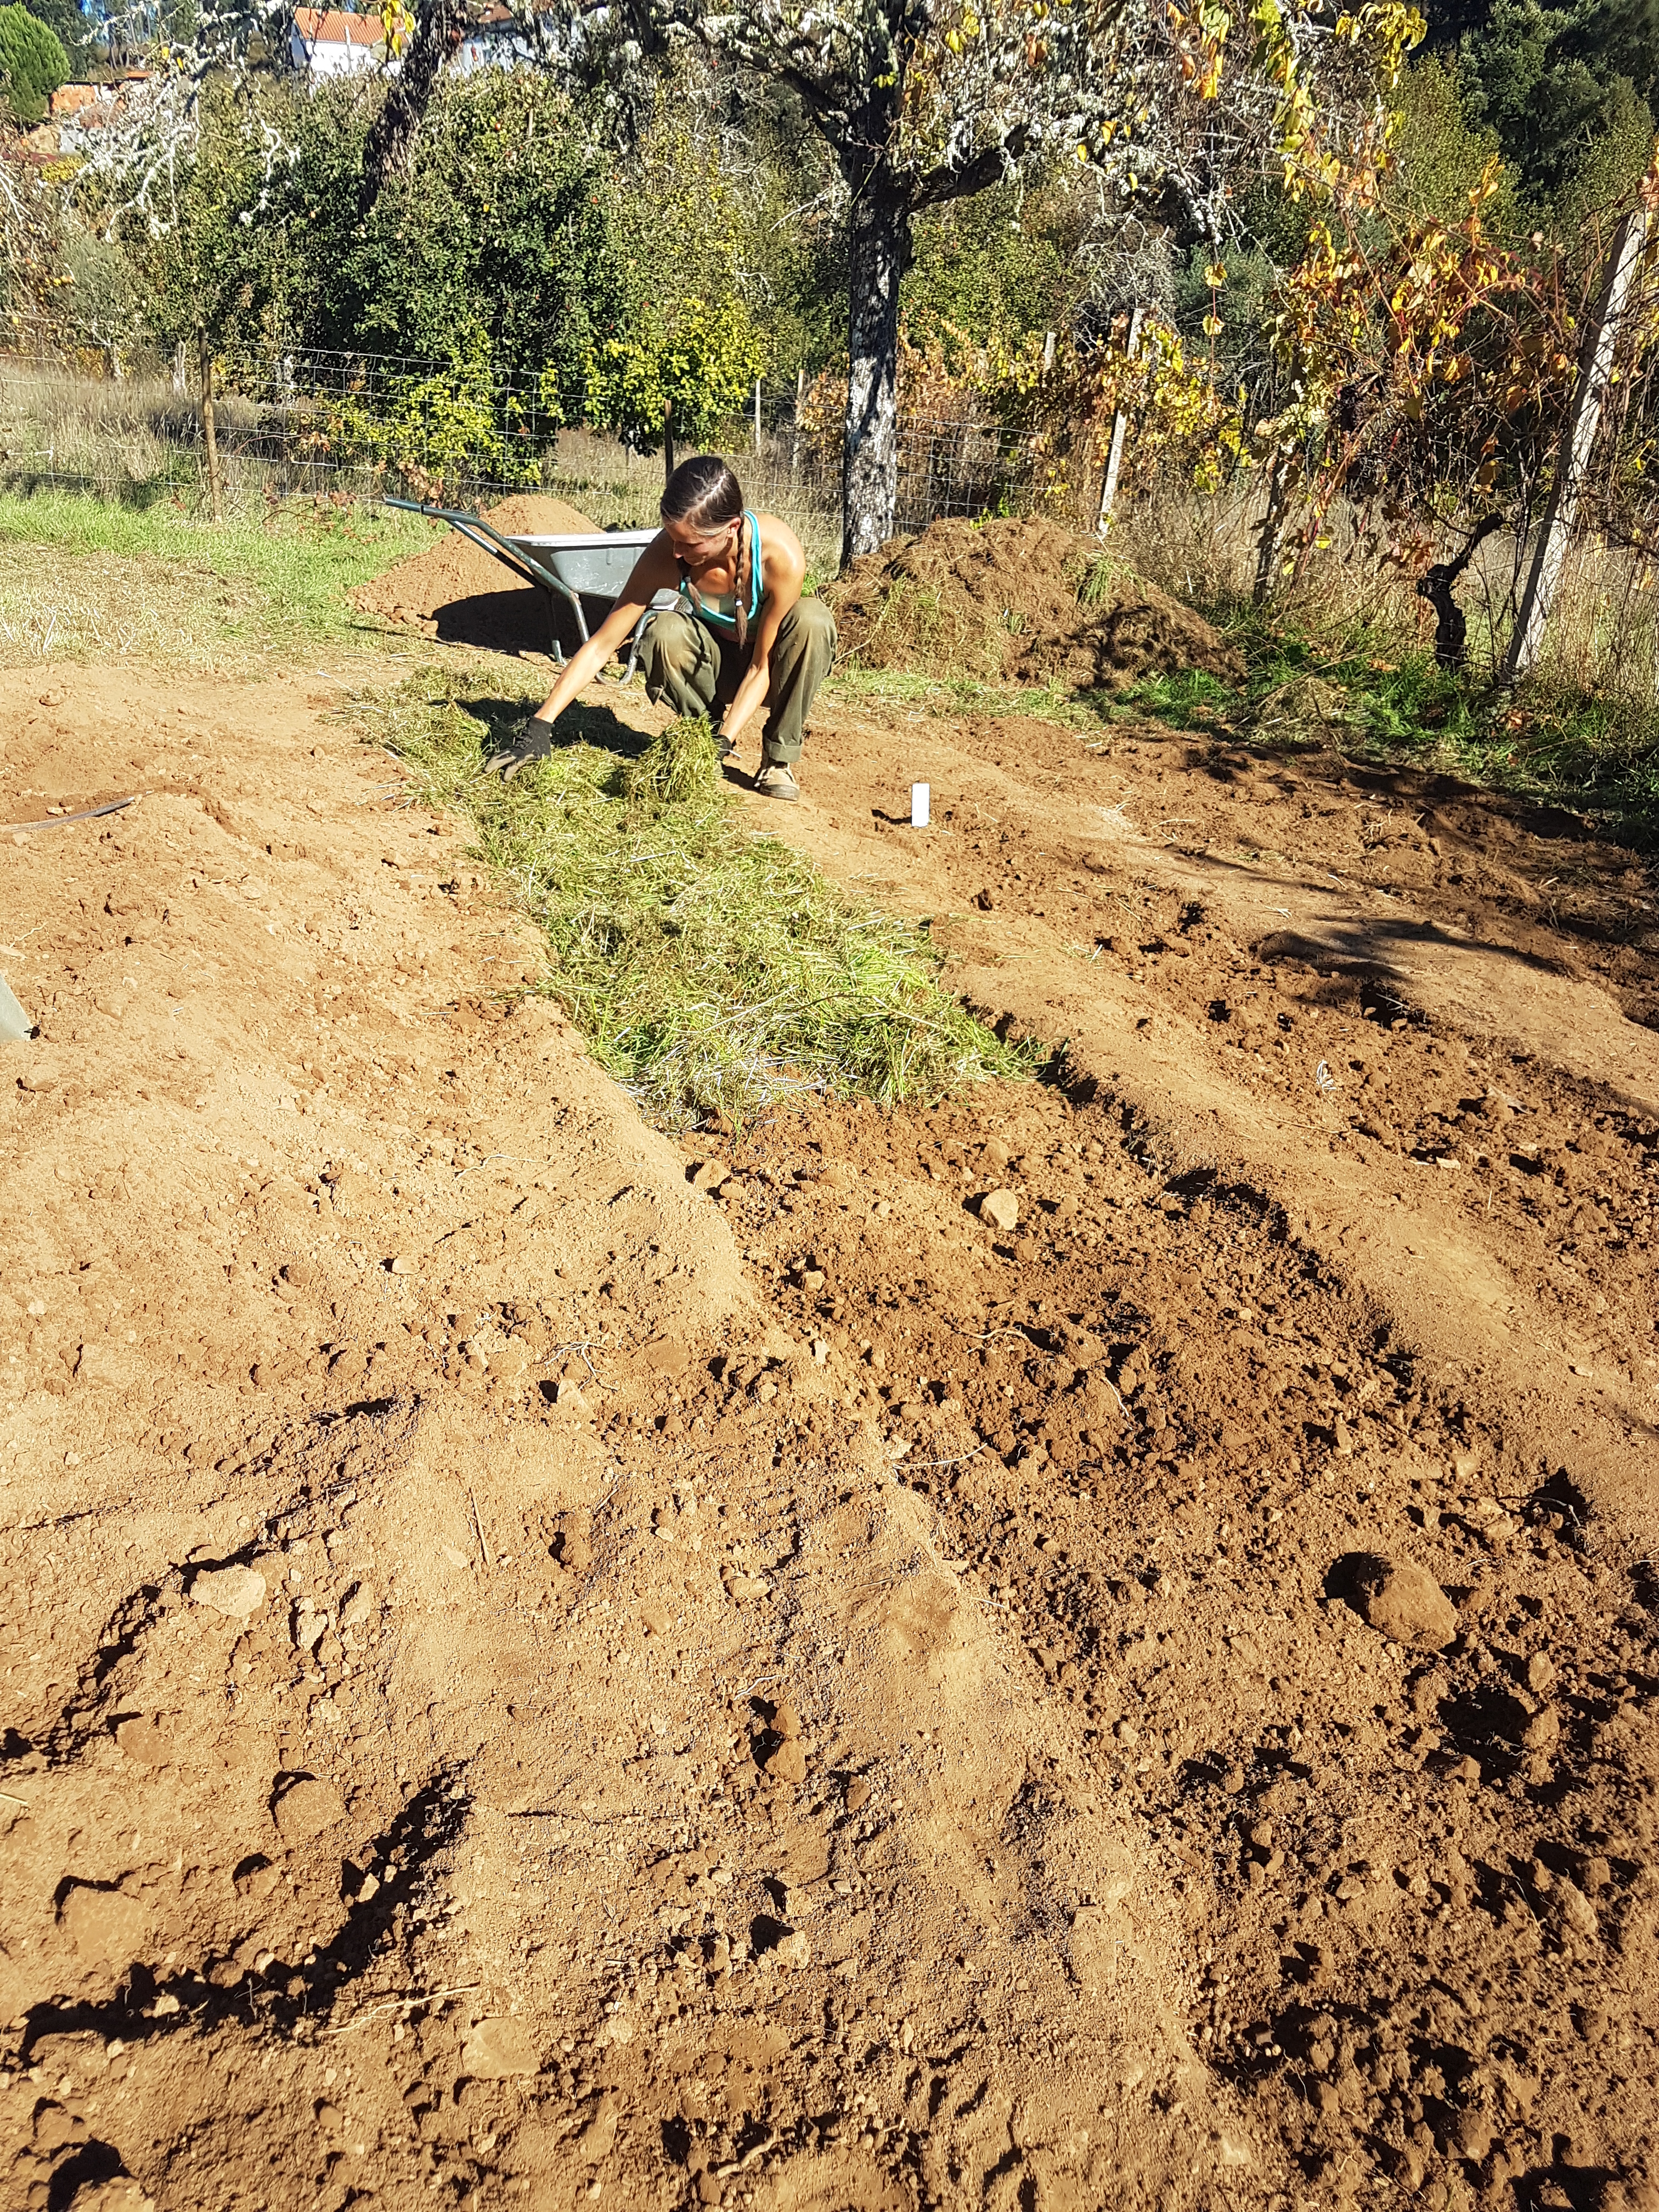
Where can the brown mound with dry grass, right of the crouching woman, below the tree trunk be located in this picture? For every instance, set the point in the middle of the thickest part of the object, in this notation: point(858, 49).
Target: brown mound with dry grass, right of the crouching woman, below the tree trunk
point(1016, 601)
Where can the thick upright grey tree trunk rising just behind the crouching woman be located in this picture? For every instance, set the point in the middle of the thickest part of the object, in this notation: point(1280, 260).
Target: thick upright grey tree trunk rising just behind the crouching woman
point(877, 258)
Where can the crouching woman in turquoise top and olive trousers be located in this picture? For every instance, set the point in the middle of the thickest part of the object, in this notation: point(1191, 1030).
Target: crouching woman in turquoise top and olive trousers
point(738, 643)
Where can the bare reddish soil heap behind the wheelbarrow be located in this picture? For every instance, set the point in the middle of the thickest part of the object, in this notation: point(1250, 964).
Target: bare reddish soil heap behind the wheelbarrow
point(466, 596)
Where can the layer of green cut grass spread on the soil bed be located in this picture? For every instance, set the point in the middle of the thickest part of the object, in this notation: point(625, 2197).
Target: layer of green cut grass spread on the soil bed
point(711, 970)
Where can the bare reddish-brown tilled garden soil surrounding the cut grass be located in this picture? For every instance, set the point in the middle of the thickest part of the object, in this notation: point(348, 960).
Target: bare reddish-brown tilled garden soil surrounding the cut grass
point(778, 1676)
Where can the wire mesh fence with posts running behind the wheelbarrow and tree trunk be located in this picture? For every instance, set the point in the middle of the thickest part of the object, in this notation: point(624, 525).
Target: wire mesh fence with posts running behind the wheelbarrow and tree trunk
point(357, 426)
